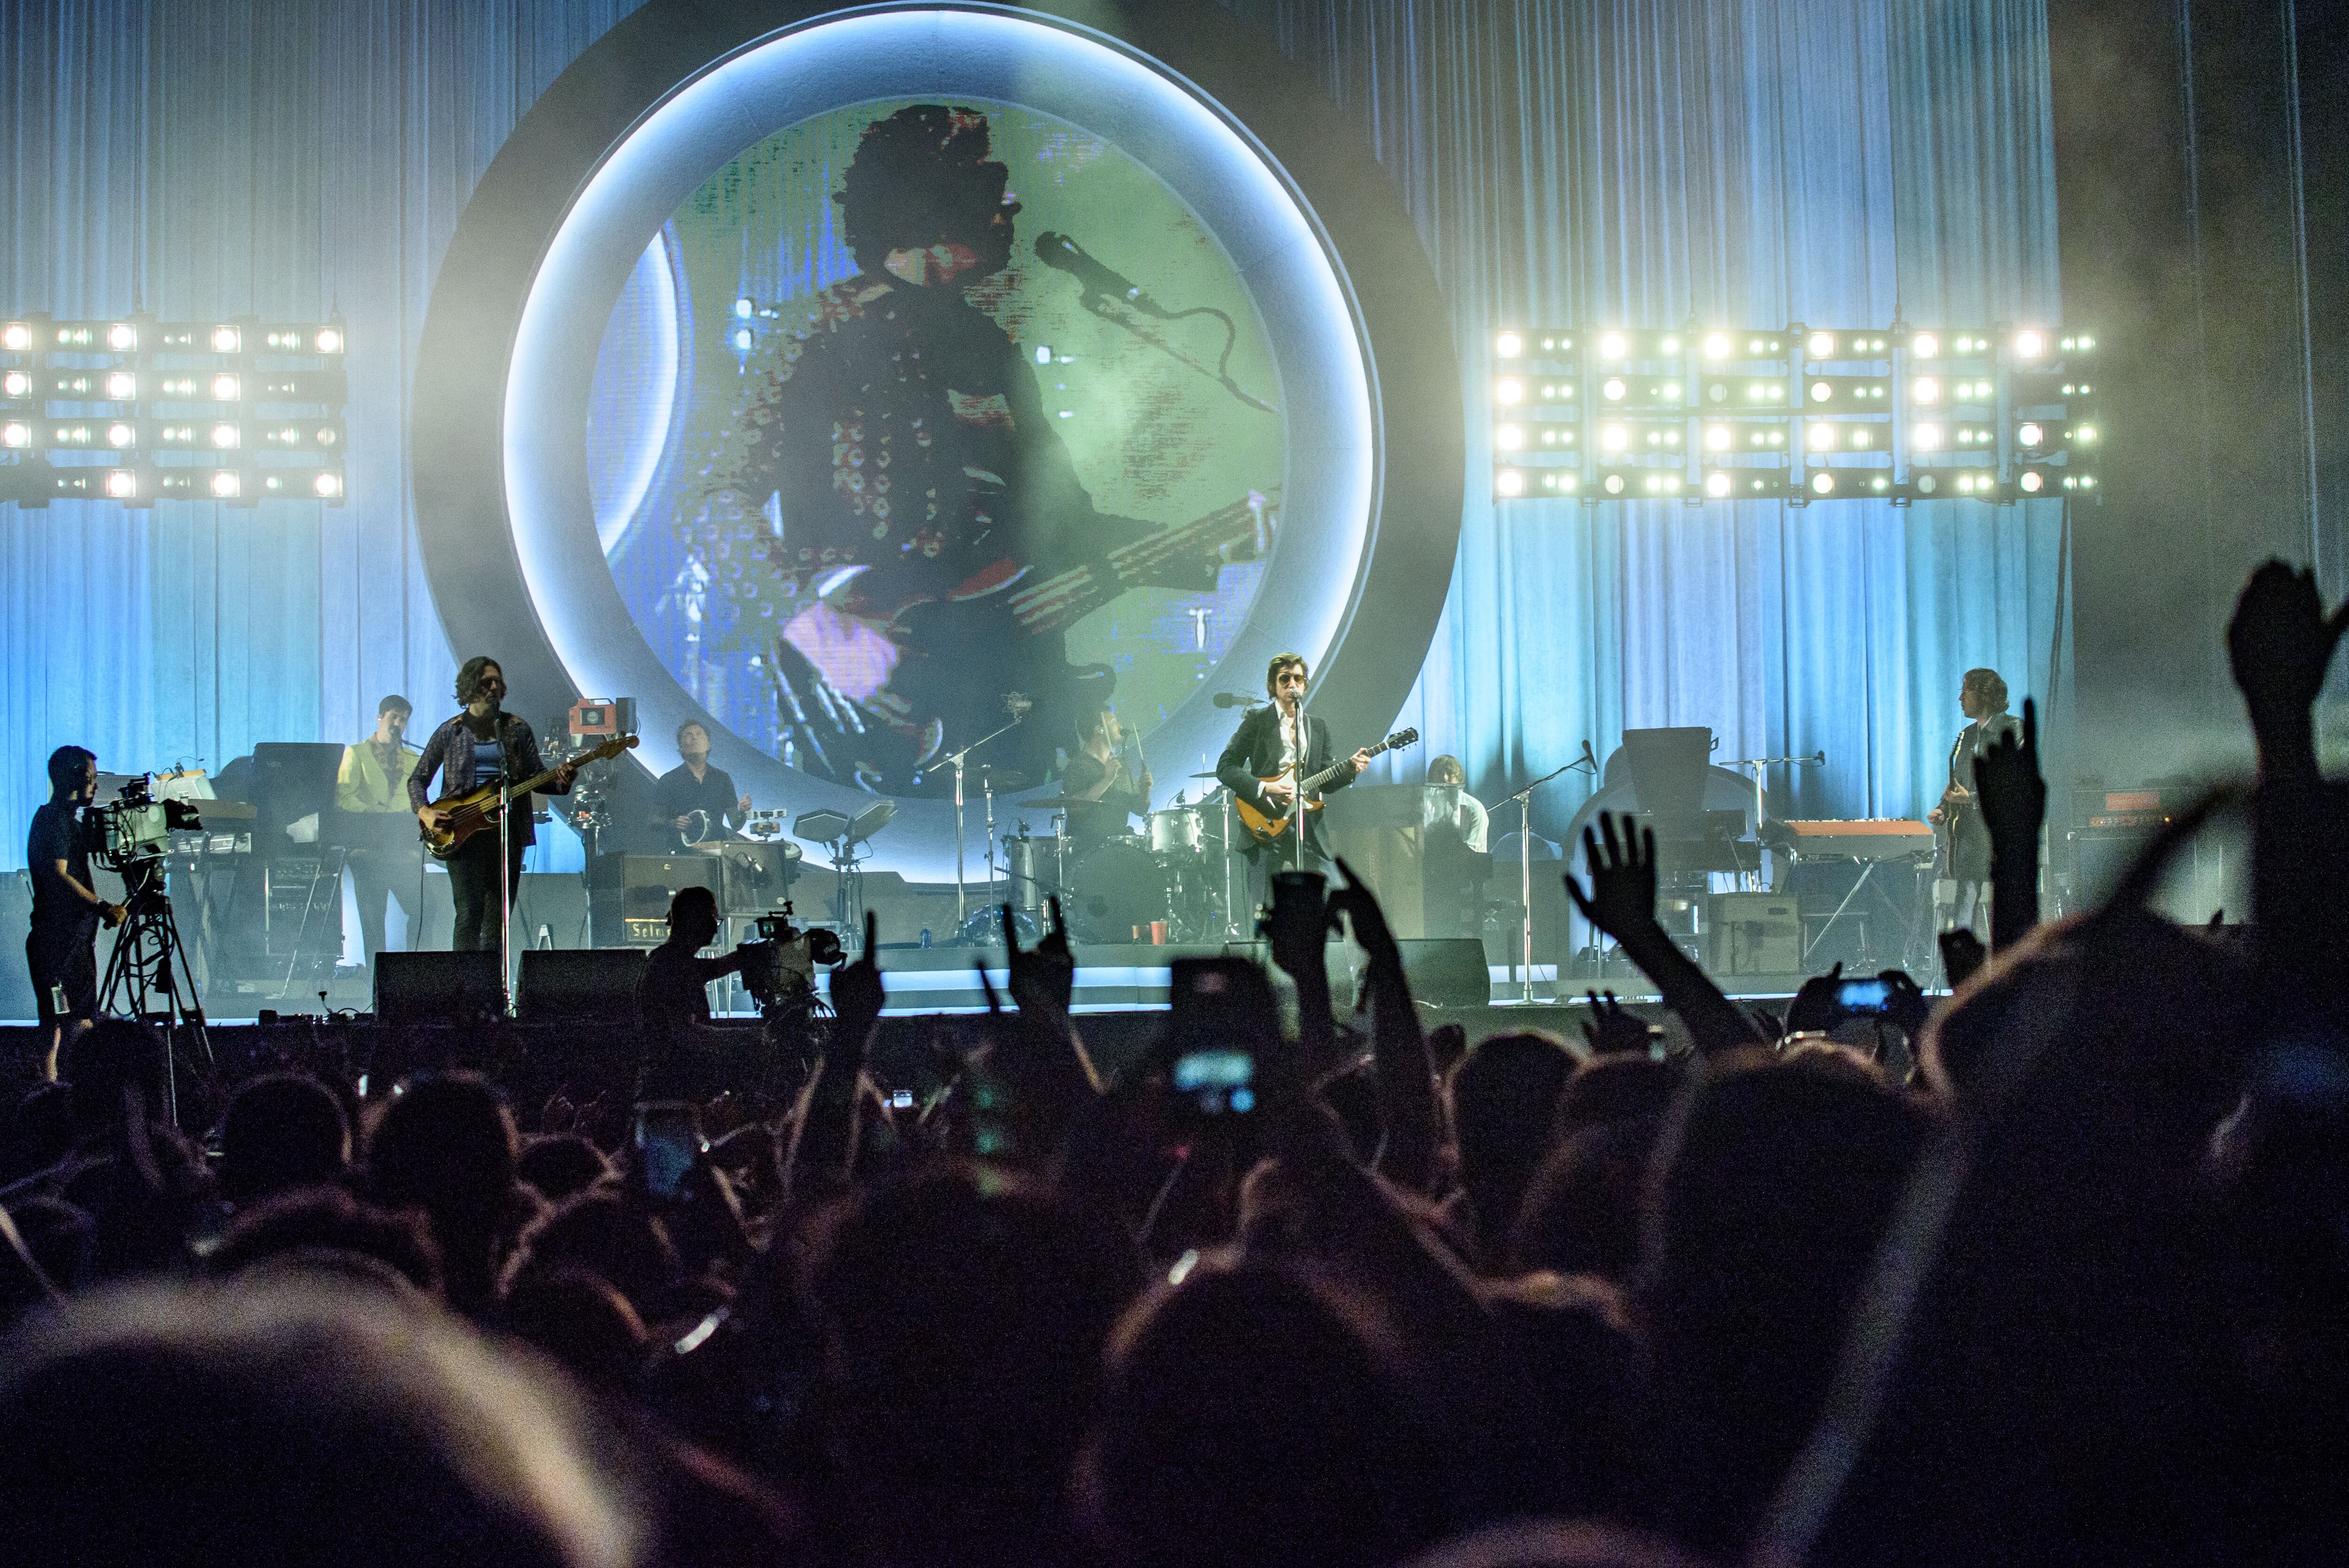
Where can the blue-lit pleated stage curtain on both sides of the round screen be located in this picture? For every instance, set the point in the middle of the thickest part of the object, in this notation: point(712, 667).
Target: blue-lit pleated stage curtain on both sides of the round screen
point(1631, 161)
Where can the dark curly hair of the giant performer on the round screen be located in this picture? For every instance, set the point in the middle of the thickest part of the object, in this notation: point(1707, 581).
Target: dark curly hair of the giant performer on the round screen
point(920, 177)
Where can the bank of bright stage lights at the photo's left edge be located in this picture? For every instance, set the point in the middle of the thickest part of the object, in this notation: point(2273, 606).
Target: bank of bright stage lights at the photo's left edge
point(135, 410)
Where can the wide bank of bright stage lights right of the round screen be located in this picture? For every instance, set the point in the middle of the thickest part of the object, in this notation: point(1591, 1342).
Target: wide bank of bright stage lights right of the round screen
point(1798, 414)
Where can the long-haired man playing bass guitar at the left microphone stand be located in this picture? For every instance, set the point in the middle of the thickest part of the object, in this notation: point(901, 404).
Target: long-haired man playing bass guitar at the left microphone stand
point(483, 745)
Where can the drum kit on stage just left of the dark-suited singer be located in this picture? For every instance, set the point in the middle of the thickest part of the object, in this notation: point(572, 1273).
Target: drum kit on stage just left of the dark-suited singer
point(1173, 881)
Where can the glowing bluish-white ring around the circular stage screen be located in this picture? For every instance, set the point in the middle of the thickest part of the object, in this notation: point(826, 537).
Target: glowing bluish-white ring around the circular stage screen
point(1086, 79)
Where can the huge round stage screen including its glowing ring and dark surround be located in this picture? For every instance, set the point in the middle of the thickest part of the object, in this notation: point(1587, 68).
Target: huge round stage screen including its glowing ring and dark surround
point(910, 384)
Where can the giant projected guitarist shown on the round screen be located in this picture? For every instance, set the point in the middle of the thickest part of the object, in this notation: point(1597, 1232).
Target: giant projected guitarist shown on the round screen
point(929, 532)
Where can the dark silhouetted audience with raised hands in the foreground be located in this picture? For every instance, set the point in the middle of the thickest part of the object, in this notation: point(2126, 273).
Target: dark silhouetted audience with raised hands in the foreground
point(2057, 1278)
